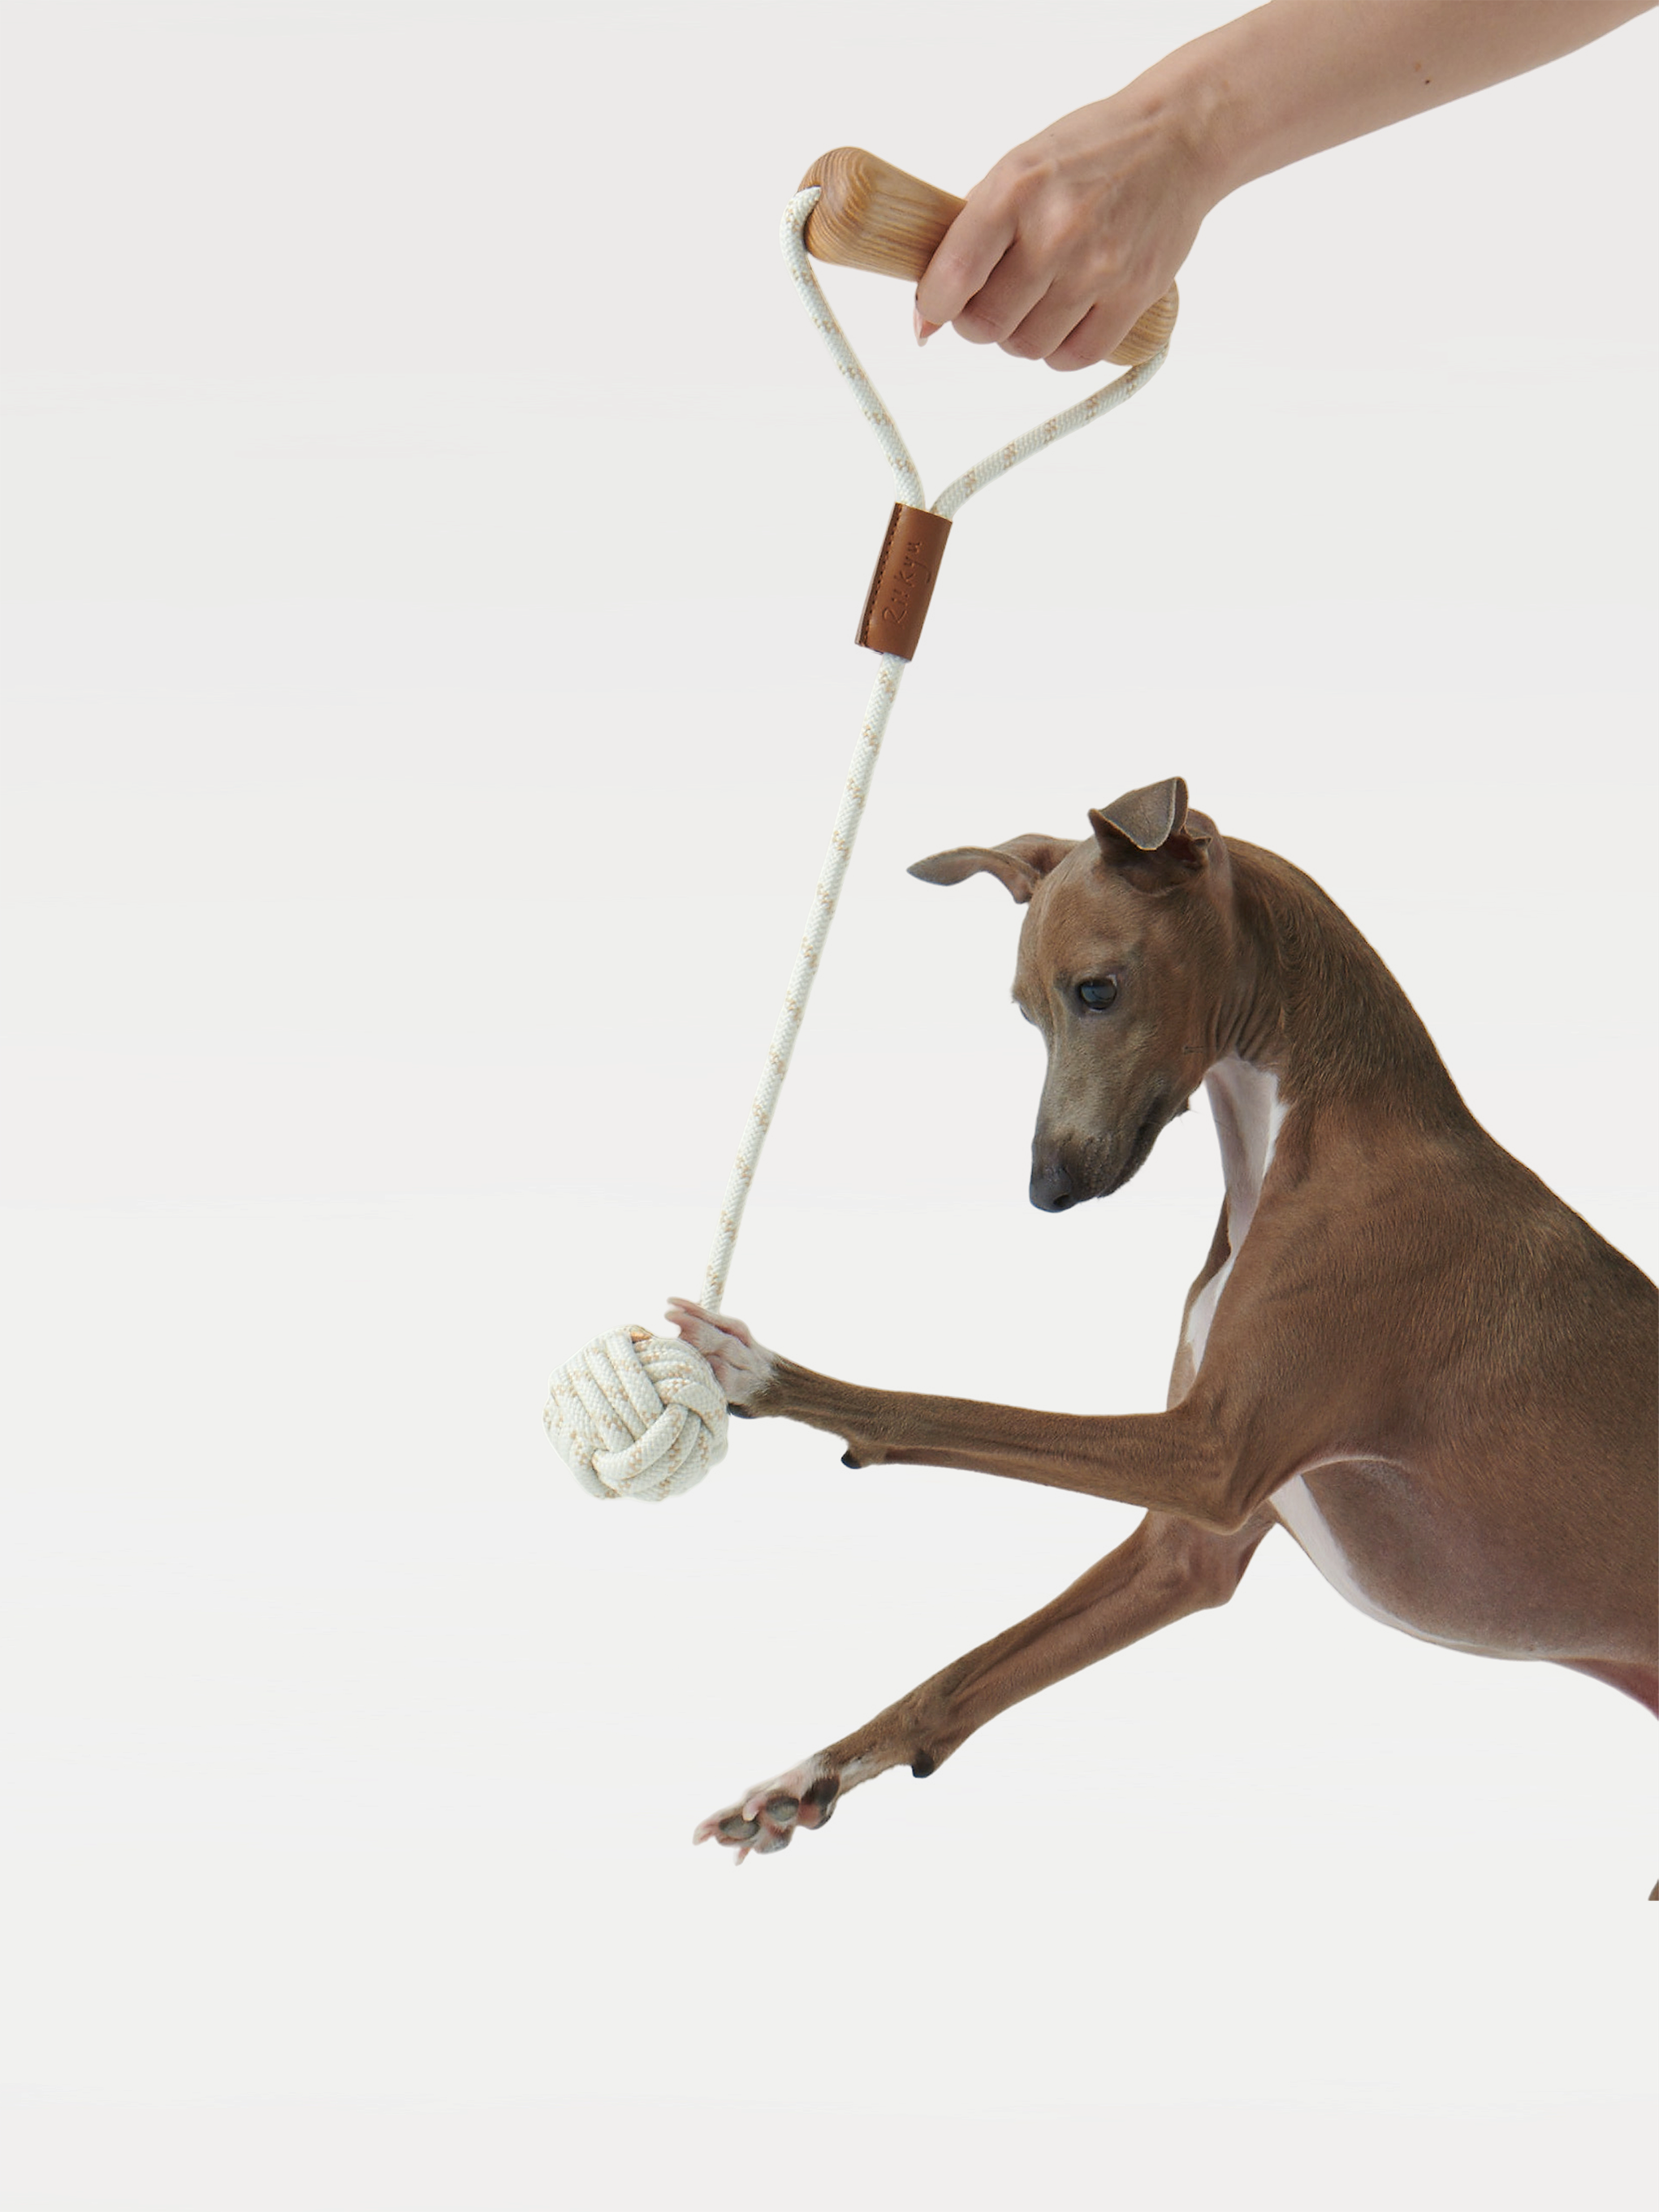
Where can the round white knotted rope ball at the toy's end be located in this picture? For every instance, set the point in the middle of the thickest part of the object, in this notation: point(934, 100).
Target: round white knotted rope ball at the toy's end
point(638, 1417)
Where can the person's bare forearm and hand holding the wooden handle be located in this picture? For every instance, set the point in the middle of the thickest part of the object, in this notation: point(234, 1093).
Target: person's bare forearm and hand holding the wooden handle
point(1081, 229)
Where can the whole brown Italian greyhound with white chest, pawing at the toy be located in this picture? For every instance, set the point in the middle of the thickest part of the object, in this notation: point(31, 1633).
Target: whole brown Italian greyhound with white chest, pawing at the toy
point(1401, 1348)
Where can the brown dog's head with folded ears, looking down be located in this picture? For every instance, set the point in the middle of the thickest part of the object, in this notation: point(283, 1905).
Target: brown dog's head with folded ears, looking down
point(1125, 959)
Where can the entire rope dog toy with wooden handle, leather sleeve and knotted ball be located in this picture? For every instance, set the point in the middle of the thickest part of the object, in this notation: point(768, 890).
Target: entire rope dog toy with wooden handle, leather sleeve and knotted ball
point(640, 1415)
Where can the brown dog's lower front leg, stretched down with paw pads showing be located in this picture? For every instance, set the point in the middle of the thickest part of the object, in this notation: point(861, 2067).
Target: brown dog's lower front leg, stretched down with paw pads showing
point(1160, 1574)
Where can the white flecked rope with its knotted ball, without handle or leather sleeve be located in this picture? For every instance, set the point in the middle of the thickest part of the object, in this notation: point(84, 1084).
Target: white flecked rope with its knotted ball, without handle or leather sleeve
point(638, 1415)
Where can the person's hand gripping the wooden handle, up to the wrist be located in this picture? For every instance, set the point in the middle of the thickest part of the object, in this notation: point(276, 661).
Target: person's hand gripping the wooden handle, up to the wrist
point(1072, 236)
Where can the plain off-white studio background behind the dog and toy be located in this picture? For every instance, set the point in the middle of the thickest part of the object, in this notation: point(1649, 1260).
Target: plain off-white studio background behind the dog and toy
point(430, 550)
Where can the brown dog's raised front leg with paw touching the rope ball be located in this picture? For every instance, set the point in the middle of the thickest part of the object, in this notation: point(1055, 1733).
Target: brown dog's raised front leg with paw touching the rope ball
point(1178, 1463)
